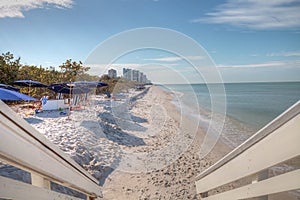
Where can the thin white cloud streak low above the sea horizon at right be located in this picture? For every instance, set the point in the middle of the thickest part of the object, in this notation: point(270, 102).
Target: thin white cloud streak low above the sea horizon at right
point(282, 64)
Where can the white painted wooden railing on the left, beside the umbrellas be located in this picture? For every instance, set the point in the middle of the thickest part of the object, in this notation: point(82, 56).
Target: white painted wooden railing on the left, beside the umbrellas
point(24, 147)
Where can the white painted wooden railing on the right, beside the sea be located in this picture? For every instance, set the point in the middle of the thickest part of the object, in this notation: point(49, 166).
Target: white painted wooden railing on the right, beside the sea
point(274, 144)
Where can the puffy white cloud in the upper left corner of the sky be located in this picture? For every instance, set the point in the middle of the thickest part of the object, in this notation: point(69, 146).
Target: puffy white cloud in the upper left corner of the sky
point(14, 8)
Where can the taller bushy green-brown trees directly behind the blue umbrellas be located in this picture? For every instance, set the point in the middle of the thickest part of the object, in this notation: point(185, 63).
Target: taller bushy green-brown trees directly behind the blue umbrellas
point(11, 70)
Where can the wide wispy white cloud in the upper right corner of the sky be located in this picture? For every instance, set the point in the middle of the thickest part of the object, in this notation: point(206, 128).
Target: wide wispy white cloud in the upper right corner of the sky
point(256, 14)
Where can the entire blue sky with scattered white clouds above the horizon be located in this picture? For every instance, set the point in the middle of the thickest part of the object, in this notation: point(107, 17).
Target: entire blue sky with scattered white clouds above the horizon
point(239, 40)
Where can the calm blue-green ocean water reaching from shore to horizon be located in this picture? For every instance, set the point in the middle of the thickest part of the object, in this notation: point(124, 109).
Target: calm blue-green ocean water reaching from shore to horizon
point(249, 106)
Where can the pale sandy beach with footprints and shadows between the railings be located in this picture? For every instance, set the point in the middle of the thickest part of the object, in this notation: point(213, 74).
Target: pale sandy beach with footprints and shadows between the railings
point(139, 146)
